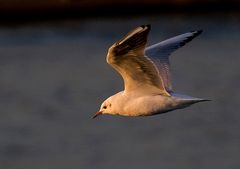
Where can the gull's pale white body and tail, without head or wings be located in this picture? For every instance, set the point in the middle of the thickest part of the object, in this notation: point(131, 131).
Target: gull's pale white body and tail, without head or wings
point(128, 104)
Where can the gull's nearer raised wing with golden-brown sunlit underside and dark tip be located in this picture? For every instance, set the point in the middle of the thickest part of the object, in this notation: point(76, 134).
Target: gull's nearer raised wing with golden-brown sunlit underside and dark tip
point(138, 71)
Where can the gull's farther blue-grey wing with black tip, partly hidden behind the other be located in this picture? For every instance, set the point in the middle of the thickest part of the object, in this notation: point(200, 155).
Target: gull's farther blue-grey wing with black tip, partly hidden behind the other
point(159, 54)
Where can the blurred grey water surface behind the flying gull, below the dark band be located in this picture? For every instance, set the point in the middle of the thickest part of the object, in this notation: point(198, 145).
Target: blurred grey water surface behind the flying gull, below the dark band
point(53, 77)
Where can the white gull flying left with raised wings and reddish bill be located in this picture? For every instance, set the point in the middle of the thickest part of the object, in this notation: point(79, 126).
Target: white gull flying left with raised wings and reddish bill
point(146, 74)
